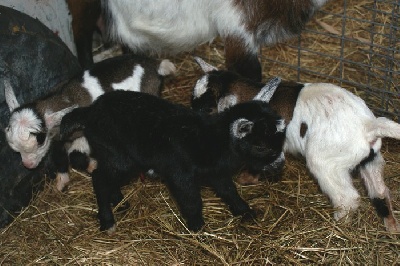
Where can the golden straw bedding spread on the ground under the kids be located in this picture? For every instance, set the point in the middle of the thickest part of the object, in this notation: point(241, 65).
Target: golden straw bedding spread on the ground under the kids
point(294, 225)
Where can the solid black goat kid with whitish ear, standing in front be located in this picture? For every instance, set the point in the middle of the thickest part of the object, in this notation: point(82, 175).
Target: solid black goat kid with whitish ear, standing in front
point(131, 132)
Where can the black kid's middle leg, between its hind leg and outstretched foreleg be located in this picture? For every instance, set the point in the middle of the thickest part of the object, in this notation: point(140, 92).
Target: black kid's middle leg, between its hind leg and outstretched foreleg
point(187, 195)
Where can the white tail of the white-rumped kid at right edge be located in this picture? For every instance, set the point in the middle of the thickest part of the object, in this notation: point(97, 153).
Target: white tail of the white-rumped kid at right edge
point(383, 127)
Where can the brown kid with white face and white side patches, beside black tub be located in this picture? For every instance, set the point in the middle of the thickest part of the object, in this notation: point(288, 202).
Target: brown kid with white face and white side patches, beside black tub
point(33, 126)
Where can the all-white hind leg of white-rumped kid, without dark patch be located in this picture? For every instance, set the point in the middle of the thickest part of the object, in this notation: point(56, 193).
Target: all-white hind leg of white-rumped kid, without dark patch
point(336, 183)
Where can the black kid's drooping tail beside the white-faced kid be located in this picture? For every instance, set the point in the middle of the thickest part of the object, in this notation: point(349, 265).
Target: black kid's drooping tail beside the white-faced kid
point(73, 122)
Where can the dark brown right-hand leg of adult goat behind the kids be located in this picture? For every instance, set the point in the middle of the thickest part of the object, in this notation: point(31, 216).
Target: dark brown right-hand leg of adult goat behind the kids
point(239, 59)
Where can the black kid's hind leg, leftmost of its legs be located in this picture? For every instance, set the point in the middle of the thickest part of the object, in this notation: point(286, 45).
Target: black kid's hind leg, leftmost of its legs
point(103, 188)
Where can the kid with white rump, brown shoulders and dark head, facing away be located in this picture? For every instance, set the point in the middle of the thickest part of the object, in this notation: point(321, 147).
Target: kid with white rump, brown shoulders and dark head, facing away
point(331, 127)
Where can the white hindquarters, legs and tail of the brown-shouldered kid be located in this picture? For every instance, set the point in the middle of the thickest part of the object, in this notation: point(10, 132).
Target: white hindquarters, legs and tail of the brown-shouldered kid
point(342, 134)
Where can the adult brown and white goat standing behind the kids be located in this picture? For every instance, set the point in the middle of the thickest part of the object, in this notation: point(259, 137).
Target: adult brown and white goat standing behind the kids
point(172, 26)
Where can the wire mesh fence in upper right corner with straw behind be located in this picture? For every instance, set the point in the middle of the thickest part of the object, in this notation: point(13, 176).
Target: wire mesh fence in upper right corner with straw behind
point(353, 43)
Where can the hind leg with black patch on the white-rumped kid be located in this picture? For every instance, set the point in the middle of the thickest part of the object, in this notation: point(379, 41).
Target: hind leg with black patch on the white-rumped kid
point(372, 174)
